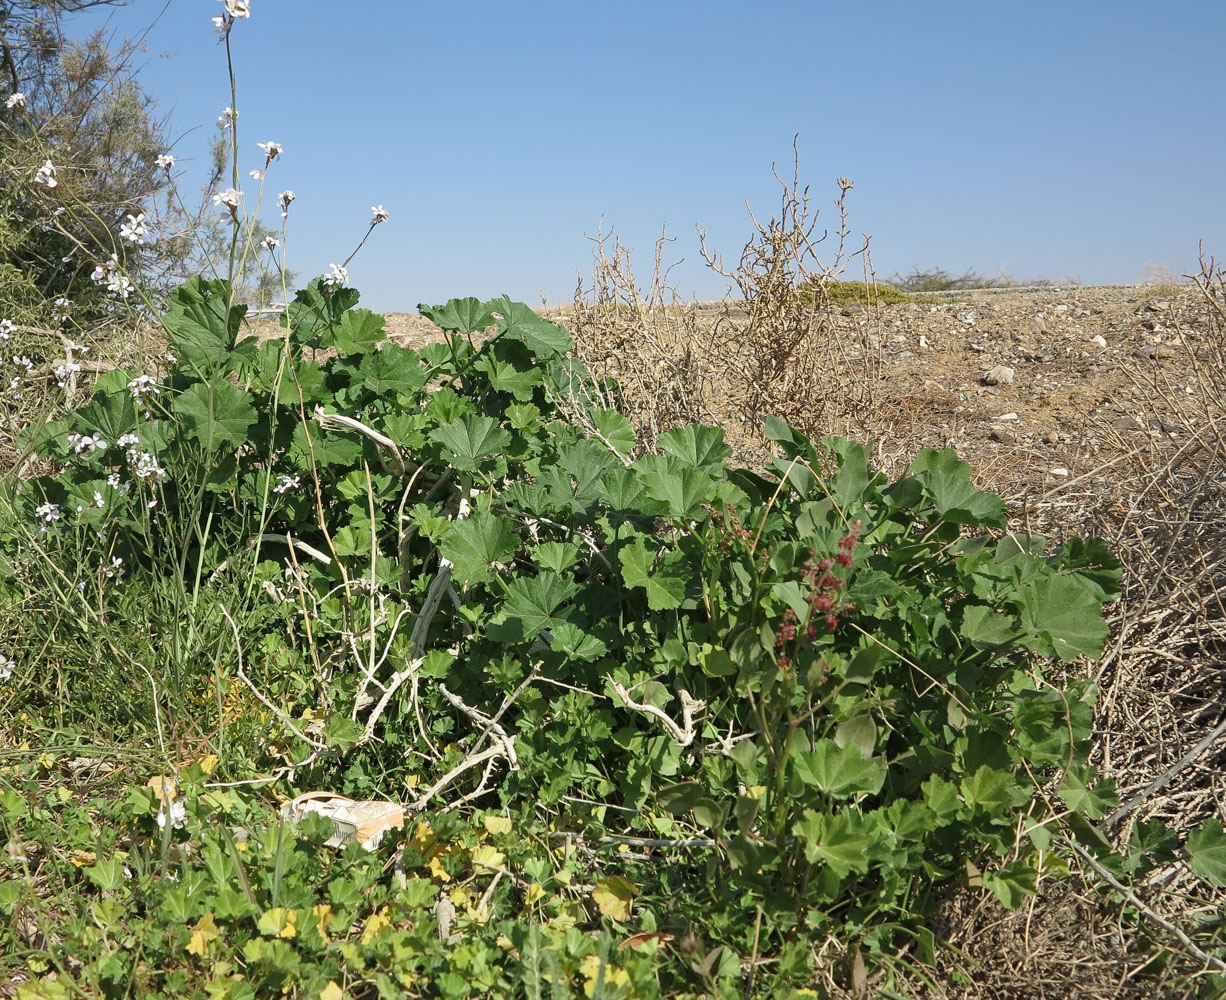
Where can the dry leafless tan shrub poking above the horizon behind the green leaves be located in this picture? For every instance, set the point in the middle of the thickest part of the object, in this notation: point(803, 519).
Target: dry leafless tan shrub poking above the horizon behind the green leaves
point(769, 349)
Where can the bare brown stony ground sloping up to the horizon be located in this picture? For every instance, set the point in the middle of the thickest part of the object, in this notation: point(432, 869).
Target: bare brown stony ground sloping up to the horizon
point(1041, 384)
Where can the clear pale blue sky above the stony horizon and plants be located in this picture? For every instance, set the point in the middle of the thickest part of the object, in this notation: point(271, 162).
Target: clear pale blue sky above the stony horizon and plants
point(1053, 139)
